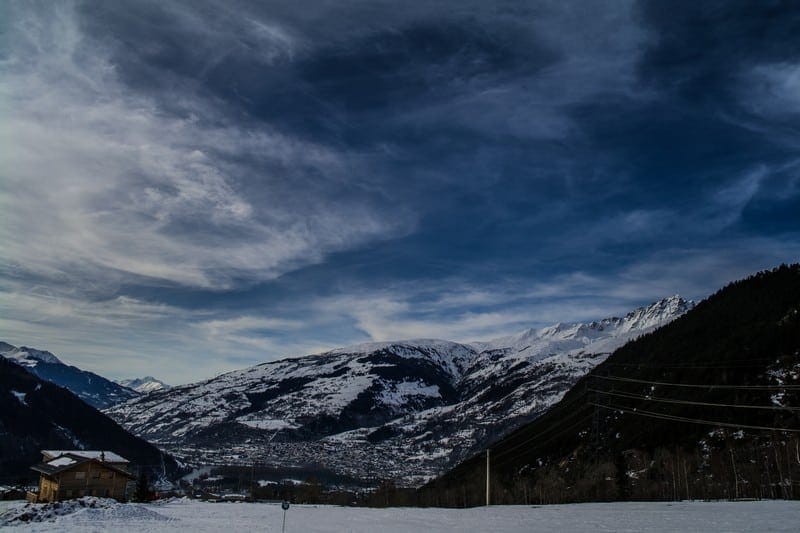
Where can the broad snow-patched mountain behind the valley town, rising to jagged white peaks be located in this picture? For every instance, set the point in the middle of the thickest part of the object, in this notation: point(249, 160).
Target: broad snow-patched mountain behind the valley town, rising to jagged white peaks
point(400, 410)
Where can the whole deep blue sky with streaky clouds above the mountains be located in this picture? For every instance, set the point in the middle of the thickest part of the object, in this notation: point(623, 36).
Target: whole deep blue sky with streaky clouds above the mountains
point(191, 187)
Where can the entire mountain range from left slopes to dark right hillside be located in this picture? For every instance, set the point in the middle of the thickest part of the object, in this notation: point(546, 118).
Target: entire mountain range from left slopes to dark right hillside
point(671, 400)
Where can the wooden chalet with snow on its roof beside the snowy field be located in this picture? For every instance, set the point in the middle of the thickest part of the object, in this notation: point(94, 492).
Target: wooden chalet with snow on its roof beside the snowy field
point(66, 474)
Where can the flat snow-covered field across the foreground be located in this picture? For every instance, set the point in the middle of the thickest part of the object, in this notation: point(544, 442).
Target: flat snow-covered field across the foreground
point(186, 515)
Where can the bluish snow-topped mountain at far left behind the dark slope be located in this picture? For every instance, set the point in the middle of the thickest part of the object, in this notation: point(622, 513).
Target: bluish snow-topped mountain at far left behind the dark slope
point(95, 390)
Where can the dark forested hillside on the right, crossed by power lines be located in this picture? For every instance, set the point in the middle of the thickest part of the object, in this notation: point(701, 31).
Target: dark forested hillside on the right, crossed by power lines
point(705, 407)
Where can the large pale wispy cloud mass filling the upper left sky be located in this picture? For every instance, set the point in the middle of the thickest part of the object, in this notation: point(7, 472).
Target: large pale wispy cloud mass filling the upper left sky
point(105, 182)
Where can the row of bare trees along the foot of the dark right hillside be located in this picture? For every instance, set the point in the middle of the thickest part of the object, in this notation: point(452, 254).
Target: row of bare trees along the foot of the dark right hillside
point(735, 467)
